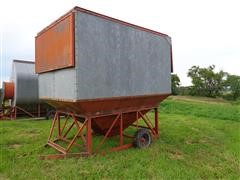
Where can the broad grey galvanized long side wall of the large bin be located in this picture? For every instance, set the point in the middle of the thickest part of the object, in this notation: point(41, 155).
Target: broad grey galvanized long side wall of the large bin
point(115, 60)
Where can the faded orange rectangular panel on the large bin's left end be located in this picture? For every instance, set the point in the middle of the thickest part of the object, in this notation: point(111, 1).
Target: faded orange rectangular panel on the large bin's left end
point(55, 46)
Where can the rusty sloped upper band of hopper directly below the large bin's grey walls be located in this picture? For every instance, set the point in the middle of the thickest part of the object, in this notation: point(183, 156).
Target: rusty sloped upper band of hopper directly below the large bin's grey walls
point(107, 105)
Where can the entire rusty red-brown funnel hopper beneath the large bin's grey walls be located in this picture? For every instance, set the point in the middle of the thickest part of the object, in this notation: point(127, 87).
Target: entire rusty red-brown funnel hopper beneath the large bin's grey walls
point(103, 111)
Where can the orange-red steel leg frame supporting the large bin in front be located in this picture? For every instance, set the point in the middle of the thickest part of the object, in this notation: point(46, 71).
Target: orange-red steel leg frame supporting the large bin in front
point(87, 136)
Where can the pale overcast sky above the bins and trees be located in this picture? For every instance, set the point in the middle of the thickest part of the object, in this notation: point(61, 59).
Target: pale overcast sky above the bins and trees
point(203, 32)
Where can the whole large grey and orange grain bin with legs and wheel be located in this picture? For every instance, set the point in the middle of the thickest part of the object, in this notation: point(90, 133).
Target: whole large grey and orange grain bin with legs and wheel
point(105, 74)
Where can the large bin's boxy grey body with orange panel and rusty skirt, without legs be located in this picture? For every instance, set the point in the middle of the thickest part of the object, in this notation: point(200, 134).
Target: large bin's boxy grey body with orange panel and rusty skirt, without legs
point(86, 57)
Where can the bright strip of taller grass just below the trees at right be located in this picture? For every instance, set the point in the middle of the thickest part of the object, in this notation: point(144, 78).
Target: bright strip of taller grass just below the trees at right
point(201, 107)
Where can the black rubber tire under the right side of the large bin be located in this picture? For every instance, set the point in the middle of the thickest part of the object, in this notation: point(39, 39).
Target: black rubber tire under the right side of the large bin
point(142, 133)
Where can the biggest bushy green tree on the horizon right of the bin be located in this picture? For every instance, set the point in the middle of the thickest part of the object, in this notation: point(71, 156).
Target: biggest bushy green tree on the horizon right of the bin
point(206, 82)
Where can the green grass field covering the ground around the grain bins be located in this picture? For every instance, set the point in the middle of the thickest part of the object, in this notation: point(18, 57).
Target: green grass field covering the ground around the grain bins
point(199, 138)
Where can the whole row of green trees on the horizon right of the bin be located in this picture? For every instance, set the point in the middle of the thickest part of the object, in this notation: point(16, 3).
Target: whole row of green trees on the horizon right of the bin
point(209, 83)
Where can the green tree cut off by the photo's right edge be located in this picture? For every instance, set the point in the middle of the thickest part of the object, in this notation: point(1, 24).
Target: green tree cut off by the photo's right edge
point(232, 85)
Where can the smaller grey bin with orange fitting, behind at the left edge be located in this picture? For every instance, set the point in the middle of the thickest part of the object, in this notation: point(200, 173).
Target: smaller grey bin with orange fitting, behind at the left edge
point(22, 92)
